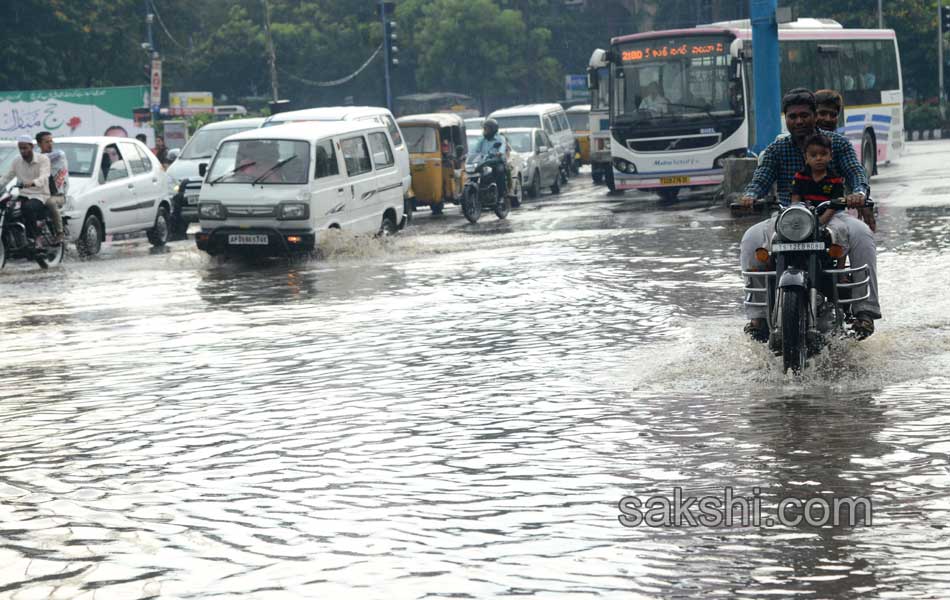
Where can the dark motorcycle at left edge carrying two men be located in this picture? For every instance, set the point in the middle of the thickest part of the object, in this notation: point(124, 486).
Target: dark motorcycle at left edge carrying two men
point(15, 241)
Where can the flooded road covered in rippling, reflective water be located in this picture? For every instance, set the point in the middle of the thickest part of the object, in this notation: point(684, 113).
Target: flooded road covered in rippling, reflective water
point(456, 412)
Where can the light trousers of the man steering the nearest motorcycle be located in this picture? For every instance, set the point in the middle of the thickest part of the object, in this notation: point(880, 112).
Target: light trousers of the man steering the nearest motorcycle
point(851, 233)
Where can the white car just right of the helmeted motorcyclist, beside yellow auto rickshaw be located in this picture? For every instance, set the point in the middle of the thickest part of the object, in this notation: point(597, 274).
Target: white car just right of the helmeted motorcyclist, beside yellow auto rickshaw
point(534, 160)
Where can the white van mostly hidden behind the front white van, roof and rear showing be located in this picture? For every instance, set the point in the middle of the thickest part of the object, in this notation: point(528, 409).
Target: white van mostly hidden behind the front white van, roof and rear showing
point(359, 113)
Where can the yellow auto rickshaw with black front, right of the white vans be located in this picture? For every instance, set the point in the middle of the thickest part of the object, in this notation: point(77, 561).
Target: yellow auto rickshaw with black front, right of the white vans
point(437, 152)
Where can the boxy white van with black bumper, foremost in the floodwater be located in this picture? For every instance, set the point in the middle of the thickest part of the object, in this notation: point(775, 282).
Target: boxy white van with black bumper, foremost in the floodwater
point(273, 191)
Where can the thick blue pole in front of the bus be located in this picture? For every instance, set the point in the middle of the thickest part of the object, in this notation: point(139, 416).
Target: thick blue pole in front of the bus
point(765, 72)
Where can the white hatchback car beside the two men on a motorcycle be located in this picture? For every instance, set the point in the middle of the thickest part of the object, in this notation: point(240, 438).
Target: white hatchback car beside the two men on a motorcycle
point(116, 187)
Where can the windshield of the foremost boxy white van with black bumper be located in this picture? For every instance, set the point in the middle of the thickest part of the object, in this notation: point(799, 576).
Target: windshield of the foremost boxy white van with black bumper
point(265, 161)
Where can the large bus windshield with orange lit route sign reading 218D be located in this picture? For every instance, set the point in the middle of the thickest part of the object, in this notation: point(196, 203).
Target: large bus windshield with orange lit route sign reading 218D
point(676, 78)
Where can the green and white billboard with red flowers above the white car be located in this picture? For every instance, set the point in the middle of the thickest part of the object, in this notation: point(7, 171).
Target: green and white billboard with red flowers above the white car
point(84, 111)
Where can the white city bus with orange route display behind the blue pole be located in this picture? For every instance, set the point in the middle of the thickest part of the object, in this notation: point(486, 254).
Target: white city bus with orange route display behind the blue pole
point(681, 100)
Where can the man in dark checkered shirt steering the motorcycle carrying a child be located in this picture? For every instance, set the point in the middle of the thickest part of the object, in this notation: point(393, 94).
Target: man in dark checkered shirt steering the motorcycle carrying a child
point(779, 163)
